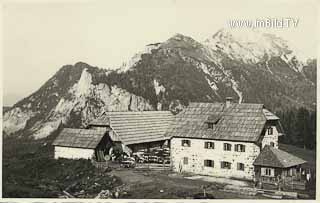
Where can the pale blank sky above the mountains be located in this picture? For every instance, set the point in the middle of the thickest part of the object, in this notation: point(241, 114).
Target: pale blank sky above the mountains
point(39, 37)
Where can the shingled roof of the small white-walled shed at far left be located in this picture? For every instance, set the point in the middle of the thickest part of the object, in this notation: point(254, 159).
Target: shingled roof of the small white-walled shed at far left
point(80, 138)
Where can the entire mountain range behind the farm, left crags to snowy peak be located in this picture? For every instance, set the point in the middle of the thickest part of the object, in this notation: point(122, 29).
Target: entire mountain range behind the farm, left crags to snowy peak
point(251, 67)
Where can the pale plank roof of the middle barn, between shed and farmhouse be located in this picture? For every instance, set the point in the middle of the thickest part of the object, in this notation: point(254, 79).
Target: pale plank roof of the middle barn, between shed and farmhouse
point(134, 127)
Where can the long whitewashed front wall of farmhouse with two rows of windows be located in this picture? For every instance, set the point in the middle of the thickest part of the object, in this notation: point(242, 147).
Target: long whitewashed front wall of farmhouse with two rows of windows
point(197, 154)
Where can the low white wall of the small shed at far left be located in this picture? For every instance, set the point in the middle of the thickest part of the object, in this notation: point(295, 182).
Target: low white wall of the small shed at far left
point(72, 153)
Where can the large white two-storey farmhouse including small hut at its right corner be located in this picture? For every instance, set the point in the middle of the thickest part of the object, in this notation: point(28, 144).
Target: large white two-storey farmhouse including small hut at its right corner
point(230, 140)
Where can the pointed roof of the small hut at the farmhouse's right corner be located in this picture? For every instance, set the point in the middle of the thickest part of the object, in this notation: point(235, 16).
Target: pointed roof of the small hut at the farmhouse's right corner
point(274, 157)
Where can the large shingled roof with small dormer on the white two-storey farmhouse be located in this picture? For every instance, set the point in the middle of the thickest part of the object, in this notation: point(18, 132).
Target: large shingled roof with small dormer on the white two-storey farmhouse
point(238, 122)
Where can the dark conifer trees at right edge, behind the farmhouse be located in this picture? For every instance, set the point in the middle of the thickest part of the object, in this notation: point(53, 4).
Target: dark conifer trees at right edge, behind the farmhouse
point(299, 126)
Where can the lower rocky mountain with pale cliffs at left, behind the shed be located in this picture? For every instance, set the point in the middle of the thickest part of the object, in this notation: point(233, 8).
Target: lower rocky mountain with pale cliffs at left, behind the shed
point(72, 97)
